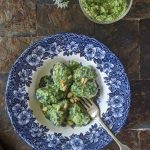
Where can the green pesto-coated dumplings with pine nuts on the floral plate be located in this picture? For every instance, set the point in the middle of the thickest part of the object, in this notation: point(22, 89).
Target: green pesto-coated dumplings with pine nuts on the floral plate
point(59, 95)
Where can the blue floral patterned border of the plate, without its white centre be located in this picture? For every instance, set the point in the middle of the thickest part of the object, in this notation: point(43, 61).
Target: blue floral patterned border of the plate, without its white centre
point(68, 44)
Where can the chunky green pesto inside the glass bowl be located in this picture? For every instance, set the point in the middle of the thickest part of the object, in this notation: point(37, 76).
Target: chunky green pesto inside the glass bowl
point(104, 10)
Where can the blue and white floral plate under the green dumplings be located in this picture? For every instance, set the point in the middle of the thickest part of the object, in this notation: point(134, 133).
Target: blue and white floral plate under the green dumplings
point(36, 61)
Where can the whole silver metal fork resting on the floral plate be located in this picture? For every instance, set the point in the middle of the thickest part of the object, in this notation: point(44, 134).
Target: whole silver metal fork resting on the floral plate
point(94, 112)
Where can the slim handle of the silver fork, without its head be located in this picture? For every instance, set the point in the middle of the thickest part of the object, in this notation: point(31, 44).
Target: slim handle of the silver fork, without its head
point(111, 134)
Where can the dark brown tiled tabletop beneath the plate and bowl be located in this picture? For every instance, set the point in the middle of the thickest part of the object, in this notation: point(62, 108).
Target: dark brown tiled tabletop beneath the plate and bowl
point(24, 21)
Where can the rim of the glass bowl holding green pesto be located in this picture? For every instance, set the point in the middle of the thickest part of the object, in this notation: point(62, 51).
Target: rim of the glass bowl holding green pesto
point(106, 22)
